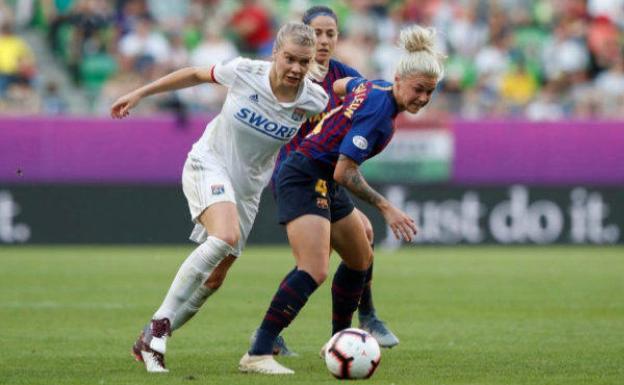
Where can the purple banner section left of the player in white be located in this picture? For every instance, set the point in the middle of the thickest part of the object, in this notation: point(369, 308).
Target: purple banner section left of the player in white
point(95, 150)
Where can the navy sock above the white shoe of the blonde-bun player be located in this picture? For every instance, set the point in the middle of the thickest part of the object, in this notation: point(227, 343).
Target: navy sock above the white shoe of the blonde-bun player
point(291, 296)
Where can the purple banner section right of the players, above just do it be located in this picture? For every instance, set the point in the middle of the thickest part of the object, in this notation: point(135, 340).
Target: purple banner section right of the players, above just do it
point(503, 152)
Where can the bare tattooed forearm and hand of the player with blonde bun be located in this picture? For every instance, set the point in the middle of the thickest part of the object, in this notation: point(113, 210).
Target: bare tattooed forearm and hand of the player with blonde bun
point(347, 173)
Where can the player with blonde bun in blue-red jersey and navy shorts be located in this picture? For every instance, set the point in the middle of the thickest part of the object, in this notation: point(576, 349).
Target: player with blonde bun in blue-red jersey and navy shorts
point(312, 200)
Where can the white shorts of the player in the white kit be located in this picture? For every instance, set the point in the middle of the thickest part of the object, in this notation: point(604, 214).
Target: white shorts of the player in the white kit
point(206, 182)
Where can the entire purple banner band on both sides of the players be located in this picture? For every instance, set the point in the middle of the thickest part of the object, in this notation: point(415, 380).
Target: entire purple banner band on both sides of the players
point(143, 150)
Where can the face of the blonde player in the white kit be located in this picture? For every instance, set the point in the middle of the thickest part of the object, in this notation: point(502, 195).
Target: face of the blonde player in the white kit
point(292, 62)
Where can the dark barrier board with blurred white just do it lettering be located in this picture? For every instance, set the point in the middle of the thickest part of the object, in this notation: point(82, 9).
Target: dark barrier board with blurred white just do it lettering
point(444, 214)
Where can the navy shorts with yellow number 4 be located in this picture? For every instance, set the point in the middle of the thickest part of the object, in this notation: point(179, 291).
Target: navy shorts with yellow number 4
point(305, 186)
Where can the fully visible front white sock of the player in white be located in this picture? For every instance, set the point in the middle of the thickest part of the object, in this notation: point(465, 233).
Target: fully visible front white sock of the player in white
point(192, 274)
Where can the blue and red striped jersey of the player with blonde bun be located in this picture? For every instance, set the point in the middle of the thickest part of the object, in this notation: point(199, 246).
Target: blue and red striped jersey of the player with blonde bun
point(360, 128)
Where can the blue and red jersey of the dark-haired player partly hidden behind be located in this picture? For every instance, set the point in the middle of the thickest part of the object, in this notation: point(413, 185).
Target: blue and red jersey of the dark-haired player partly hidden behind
point(336, 70)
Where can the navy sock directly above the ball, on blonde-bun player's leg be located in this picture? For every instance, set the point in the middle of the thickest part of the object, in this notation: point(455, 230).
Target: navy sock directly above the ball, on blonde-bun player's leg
point(347, 289)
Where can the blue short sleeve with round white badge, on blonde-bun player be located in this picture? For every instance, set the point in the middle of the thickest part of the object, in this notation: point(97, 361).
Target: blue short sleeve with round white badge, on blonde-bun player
point(362, 138)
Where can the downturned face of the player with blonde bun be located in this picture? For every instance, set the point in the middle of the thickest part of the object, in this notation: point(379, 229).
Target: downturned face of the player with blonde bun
point(414, 92)
